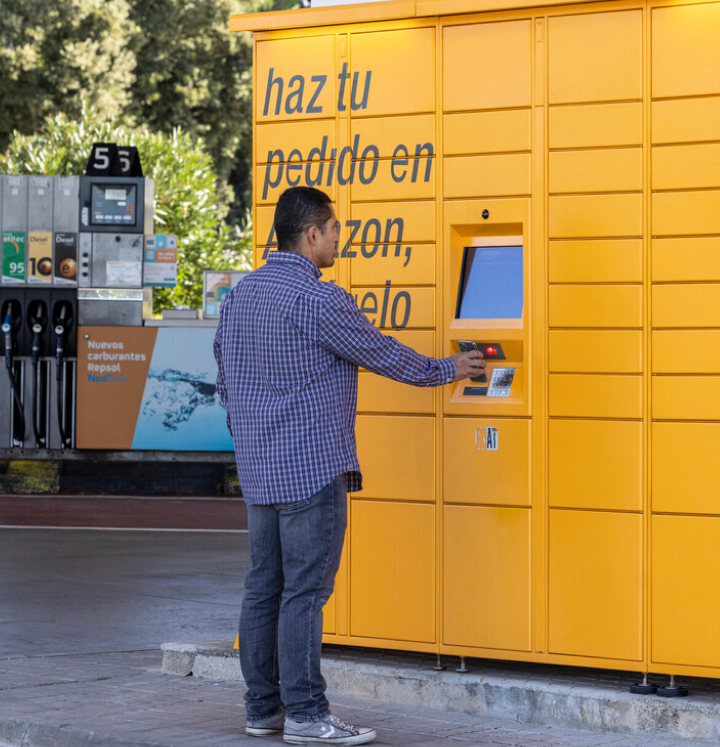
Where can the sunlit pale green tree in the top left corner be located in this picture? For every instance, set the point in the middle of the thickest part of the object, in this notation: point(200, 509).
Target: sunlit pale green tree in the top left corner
point(54, 54)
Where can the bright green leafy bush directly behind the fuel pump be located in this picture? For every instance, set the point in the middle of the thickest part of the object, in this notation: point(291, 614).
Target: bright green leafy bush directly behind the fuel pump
point(186, 201)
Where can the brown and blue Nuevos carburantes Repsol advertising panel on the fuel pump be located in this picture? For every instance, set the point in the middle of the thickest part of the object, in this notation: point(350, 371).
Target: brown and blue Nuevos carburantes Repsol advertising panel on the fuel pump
point(149, 388)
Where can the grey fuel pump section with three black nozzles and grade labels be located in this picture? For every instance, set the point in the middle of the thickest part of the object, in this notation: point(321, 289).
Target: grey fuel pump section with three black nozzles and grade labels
point(39, 231)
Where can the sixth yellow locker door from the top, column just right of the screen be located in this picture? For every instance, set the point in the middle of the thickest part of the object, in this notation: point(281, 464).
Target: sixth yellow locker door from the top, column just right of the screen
point(596, 306)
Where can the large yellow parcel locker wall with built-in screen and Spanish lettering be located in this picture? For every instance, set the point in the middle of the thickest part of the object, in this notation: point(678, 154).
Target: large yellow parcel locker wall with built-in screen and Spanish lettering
point(543, 183)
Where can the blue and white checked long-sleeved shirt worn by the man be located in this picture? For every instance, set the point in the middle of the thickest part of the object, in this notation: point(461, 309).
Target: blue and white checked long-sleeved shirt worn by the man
point(288, 349)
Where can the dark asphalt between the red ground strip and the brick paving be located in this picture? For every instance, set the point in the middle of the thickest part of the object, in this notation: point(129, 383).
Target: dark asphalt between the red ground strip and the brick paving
point(83, 591)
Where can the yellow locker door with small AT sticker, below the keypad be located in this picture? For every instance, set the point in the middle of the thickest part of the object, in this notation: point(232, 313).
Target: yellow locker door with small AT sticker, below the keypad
point(474, 474)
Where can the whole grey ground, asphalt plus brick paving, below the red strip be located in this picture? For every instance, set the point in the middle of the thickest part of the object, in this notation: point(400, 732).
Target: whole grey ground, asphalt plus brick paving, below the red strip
point(82, 617)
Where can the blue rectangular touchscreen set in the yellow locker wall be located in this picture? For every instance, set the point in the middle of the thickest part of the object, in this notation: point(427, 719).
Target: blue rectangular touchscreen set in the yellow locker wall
point(491, 283)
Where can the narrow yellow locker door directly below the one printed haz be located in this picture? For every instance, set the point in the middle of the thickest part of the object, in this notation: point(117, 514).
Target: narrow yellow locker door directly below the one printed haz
point(293, 141)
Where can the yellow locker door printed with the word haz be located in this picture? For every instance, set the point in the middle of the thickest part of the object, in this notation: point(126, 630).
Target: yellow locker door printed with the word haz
point(296, 78)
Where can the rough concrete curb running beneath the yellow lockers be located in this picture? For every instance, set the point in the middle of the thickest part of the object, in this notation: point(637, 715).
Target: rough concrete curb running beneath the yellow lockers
point(497, 696)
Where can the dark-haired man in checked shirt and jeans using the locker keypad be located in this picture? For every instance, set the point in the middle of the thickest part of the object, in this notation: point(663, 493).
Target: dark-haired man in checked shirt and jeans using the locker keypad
point(288, 348)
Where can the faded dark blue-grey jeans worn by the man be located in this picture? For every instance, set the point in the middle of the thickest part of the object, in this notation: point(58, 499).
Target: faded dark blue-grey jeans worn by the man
point(295, 553)
